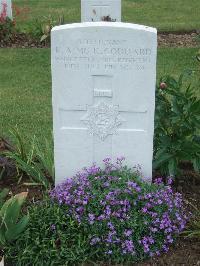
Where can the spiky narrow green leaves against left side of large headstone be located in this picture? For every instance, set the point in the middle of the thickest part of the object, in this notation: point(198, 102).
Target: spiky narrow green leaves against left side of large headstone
point(35, 163)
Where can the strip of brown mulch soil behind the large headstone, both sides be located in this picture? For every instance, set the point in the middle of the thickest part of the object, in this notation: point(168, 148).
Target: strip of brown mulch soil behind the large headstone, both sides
point(166, 39)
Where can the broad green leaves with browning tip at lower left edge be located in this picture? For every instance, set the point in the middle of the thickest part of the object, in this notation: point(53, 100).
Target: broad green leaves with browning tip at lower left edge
point(10, 224)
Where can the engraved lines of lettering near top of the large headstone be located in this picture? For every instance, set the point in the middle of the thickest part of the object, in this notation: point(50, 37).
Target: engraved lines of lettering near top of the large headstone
point(95, 54)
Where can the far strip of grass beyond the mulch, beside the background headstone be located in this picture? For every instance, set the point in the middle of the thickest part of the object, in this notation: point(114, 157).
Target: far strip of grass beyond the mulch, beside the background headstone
point(166, 15)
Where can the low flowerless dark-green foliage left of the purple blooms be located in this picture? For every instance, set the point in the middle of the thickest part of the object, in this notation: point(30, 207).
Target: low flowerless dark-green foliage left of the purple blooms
point(52, 238)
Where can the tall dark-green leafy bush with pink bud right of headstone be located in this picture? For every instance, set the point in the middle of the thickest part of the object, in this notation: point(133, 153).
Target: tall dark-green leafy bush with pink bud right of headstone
point(177, 124)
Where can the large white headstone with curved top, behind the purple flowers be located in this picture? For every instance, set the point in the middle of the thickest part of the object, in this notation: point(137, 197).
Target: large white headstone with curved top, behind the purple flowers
point(103, 78)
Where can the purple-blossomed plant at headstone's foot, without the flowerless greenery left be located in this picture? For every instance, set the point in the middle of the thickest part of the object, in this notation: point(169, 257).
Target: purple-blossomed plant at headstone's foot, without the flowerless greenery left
point(123, 217)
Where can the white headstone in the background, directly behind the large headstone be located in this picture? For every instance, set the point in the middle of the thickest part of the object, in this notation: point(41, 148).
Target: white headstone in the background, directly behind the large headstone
point(100, 10)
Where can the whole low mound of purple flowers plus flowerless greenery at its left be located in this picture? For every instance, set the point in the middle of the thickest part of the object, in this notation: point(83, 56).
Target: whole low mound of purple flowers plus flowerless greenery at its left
point(107, 214)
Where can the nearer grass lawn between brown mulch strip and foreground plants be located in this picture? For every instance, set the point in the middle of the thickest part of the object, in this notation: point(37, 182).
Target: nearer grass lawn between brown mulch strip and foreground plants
point(25, 86)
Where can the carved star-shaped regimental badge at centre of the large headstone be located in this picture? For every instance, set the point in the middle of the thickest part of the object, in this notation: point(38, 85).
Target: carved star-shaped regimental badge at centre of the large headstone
point(102, 119)
